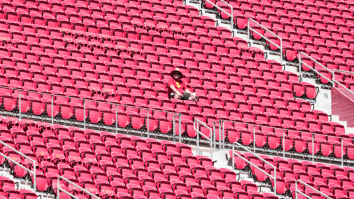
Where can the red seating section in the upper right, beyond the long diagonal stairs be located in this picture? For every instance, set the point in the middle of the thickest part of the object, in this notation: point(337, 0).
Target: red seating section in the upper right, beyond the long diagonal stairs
point(321, 29)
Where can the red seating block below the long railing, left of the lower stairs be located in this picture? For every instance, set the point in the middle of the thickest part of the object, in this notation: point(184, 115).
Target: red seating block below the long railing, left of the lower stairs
point(113, 165)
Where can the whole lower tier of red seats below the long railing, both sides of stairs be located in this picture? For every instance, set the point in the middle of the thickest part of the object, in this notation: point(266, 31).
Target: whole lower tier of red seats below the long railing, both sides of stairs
point(123, 166)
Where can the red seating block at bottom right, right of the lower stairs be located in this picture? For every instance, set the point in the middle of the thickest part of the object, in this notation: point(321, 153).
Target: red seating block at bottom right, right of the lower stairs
point(332, 180)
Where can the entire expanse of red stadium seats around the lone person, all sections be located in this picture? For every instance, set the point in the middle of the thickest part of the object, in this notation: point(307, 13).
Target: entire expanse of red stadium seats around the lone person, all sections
point(105, 64)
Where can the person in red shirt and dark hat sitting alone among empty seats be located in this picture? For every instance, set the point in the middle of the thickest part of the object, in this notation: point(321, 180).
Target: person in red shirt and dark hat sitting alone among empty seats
point(177, 88)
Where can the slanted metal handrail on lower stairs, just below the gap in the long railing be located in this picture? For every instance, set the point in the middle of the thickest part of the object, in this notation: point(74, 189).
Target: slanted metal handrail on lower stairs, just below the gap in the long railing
point(249, 162)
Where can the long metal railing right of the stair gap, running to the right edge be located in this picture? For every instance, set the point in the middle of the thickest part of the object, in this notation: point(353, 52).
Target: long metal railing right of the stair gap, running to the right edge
point(223, 144)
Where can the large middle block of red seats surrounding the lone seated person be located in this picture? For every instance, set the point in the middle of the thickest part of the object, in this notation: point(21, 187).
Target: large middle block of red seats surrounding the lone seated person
point(119, 52)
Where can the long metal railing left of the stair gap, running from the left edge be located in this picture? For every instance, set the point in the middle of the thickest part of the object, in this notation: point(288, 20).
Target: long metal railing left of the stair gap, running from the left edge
point(20, 114)
